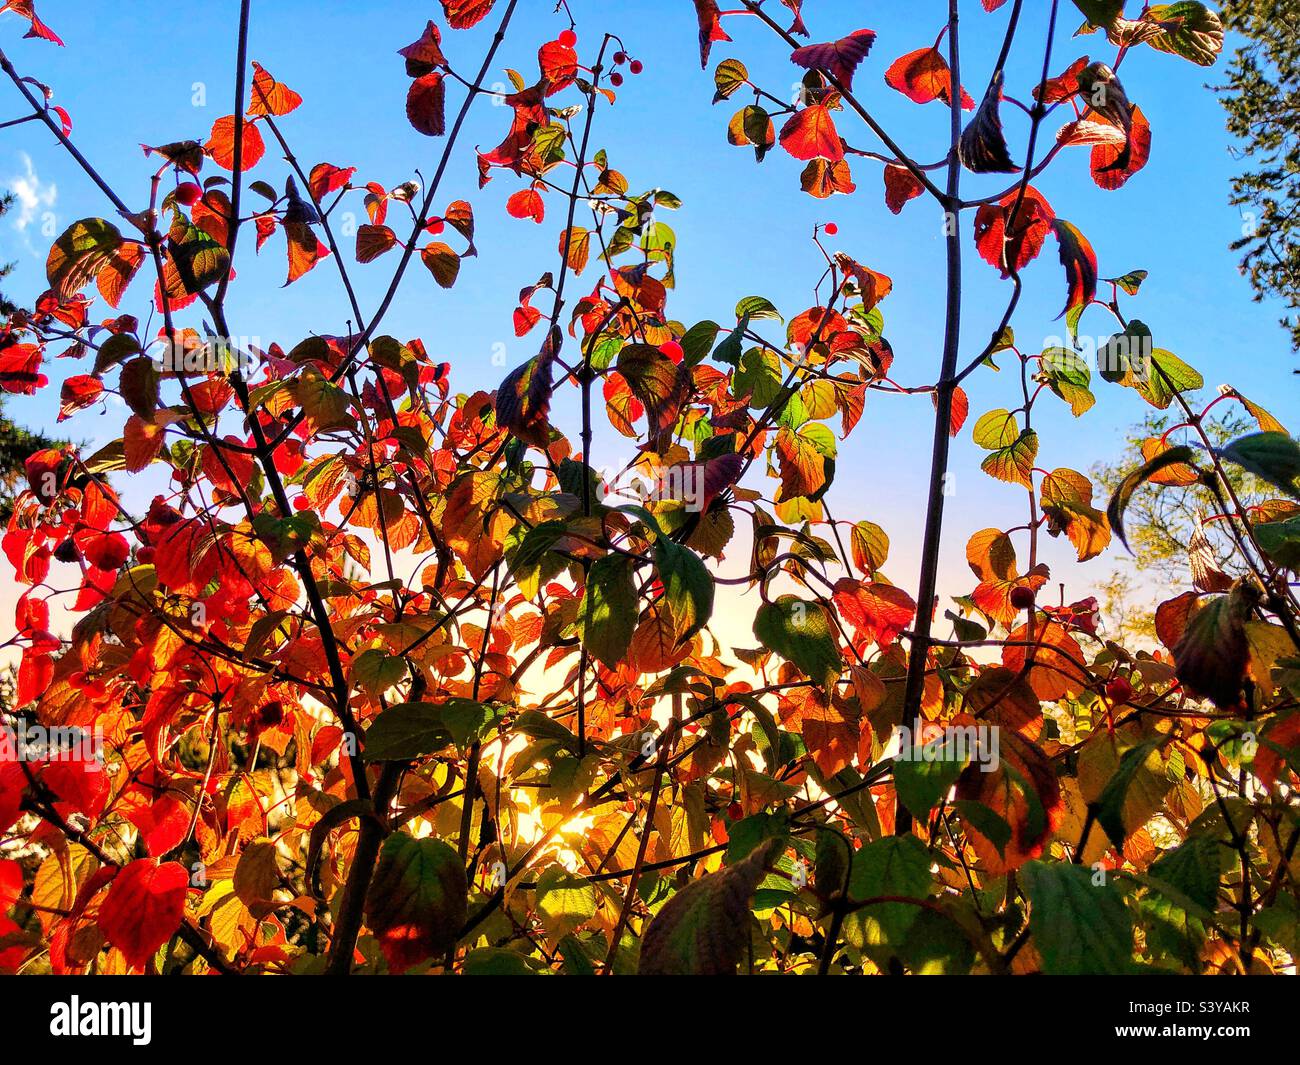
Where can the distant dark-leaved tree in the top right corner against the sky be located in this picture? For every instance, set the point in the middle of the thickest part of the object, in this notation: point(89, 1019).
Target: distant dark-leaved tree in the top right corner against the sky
point(1263, 102)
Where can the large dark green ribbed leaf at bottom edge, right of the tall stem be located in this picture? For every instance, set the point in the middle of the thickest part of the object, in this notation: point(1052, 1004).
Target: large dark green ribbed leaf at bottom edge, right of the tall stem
point(1080, 928)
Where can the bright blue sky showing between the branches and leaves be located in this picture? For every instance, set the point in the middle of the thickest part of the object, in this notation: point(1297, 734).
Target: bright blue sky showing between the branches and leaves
point(129, 72)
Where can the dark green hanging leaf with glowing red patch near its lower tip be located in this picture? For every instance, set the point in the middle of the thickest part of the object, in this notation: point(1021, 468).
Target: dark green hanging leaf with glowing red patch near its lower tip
point(418, 901)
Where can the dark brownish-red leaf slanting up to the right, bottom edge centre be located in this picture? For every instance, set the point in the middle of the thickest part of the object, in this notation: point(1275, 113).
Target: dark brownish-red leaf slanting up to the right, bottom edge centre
point(704, 929)
